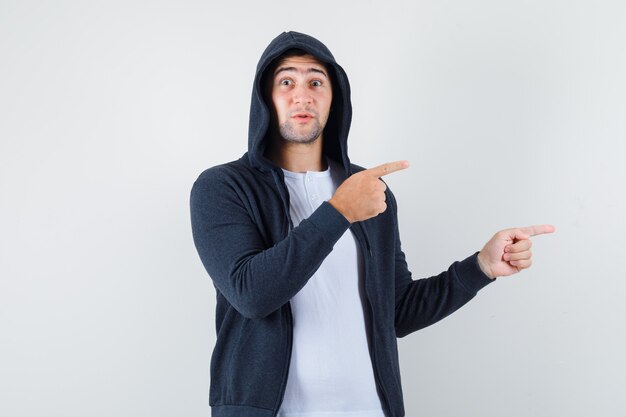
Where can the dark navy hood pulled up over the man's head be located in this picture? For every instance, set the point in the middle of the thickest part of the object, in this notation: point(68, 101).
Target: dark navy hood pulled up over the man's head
point(338, 125)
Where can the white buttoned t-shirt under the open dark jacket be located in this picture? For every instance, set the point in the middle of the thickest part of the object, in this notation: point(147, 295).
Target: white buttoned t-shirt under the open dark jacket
point(330, 374)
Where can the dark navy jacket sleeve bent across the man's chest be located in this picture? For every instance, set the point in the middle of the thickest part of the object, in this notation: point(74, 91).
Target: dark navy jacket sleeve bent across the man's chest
point(254, 279)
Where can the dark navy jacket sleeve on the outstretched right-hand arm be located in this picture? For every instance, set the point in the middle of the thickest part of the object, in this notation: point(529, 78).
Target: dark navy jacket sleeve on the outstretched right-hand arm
point(422, 302)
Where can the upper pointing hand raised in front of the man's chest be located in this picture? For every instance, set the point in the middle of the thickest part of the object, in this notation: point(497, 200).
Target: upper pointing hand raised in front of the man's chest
point(362, 195)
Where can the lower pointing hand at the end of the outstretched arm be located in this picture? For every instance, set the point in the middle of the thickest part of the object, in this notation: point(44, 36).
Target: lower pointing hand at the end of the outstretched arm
point(508, 251)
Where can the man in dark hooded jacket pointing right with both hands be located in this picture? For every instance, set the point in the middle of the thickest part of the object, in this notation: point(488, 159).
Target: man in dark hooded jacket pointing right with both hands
point(304, 251)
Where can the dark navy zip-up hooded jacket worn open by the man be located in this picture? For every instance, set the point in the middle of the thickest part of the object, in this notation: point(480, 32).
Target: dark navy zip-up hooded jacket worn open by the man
point(258, 261)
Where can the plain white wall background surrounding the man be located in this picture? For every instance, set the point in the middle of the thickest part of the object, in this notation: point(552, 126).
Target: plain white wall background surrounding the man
point(511, 112)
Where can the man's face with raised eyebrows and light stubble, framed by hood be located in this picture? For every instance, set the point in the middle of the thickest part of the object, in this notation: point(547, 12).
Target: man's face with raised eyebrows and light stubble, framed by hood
point(302, 95)
